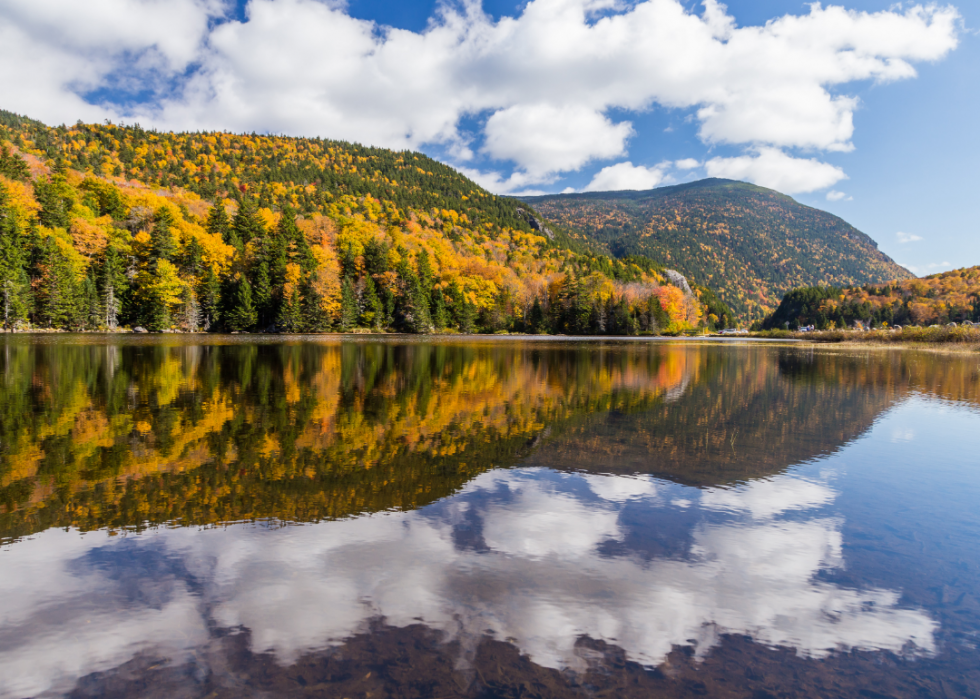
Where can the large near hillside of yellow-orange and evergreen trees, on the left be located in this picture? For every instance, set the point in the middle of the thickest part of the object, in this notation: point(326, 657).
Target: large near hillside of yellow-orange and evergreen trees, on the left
point(104, 226)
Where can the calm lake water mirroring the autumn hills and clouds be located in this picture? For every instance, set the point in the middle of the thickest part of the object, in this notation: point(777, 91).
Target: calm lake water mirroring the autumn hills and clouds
point(224, 518)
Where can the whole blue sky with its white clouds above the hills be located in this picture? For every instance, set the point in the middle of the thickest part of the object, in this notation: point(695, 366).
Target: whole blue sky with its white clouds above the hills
point(866, 109)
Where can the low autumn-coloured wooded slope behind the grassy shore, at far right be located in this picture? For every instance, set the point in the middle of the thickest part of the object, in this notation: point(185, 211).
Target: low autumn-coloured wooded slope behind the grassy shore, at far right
point(947, 297)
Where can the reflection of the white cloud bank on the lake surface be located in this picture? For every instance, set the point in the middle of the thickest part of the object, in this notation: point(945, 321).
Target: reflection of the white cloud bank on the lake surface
point(529, 555)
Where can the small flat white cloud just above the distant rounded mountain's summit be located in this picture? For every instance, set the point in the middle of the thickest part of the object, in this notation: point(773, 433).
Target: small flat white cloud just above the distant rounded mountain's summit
point(772, 168)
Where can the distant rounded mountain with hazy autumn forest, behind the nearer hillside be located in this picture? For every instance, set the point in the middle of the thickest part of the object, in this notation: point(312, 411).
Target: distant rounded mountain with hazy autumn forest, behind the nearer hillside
point(749, 243)
